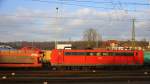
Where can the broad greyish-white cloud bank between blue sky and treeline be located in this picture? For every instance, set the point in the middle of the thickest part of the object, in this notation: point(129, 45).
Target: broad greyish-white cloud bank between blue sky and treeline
point(38, 25)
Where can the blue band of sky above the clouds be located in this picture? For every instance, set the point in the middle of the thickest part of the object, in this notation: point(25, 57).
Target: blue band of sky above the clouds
point(12, 5)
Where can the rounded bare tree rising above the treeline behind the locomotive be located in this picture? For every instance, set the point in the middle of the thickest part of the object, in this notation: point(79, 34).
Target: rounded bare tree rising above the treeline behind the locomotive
point(92, 37)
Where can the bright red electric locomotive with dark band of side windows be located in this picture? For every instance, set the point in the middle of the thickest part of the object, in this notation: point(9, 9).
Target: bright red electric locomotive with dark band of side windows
point(96, 57)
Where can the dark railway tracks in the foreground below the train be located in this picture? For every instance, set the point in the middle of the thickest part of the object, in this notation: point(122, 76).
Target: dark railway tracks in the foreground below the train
point(48, 77)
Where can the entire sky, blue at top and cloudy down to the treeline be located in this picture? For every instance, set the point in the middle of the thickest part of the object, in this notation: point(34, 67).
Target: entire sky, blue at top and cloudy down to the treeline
point(39, 20)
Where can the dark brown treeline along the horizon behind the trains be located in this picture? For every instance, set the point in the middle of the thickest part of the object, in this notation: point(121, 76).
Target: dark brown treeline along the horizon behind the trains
point(75, 44)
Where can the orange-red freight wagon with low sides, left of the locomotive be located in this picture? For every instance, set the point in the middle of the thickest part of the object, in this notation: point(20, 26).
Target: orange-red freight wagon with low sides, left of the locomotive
point(20, 58)
